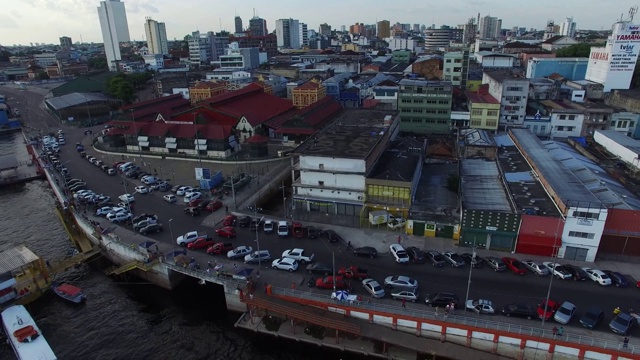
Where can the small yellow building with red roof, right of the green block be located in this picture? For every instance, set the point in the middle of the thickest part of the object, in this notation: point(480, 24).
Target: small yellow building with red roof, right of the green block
point(484, 110)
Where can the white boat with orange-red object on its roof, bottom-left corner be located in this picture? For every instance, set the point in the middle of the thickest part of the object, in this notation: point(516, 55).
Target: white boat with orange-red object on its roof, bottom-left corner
point(24, 336)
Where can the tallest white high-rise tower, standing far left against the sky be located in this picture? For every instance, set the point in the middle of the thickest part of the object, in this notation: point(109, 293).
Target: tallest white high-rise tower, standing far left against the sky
point(115, 29)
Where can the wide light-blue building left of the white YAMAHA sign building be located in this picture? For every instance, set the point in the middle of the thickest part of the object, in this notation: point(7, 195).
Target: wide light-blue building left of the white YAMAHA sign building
point(569, 68)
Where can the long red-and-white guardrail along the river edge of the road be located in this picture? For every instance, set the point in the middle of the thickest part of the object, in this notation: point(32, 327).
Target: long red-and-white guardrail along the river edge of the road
point(462, 320)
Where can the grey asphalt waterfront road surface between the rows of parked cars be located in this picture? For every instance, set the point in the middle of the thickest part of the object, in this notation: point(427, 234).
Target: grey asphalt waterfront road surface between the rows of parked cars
point(502, 288)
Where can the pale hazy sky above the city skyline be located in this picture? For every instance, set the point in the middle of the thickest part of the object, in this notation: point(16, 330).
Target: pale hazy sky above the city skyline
point(44, 21)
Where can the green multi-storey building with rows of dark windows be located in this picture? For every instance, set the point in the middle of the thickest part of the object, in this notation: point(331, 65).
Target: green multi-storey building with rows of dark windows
point(425, 106)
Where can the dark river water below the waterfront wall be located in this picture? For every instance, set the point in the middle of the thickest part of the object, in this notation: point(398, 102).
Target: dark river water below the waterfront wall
point(125, 320)
